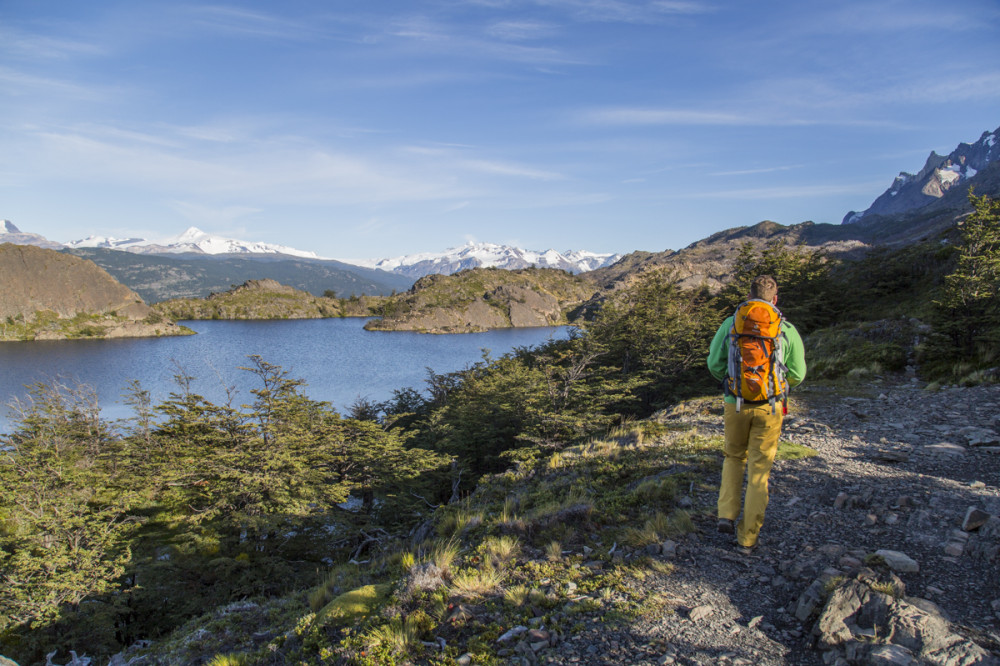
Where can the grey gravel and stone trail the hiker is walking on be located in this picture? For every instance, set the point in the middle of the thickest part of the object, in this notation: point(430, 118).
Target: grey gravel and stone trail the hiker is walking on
point(898, 469)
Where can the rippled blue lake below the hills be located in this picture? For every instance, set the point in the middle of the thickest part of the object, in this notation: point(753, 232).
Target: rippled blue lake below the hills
point(337, 358)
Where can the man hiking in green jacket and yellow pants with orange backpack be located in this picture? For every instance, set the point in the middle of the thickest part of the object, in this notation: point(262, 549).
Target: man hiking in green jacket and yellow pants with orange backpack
point(758, 355)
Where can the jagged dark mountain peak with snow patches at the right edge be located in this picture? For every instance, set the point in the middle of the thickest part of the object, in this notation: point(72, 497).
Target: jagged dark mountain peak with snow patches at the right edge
point(940, 174)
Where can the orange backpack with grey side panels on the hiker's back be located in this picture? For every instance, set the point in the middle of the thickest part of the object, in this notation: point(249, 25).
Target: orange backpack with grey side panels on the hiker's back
point(756, 357)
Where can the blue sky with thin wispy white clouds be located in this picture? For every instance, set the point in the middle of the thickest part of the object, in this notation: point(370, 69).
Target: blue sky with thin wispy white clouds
point(379, 128)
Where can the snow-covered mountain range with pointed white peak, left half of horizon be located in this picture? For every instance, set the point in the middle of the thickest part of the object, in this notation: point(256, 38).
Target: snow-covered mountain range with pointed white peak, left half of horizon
point(193, 240)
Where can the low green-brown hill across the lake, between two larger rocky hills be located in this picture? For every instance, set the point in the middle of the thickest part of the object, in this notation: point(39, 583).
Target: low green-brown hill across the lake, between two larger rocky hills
point(260, 299)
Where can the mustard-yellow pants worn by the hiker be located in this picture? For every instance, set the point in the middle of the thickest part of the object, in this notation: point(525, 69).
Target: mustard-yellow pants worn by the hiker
point(751, 443)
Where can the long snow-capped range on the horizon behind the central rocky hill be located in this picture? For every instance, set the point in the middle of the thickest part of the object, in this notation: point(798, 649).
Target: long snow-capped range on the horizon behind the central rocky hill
point(488, 255)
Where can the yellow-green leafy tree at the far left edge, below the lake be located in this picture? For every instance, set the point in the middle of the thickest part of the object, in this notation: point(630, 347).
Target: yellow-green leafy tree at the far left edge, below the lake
point(66, 529)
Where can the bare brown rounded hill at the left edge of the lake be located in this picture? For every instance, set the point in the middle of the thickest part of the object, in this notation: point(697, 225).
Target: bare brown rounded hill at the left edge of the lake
point(50, 295)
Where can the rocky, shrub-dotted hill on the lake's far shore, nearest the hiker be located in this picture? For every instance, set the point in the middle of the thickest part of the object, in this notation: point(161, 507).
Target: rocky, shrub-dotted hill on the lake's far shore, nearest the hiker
point(483, 299)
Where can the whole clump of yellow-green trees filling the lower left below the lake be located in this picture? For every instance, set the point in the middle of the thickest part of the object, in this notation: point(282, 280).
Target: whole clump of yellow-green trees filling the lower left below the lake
point(207, 504)
